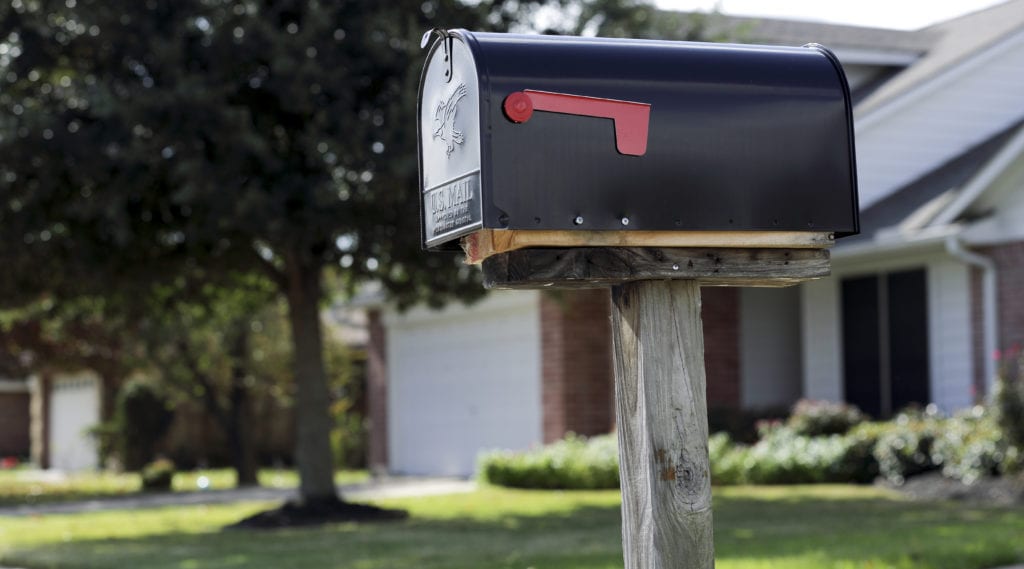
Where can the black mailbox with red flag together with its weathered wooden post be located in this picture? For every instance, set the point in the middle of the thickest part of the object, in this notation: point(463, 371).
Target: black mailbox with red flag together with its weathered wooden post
point(720, 166)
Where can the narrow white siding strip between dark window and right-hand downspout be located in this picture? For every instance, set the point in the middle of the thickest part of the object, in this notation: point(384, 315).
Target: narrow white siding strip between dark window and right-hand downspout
point(950, 340)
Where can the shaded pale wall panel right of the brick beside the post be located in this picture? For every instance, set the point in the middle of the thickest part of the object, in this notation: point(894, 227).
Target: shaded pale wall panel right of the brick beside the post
point(770, 347)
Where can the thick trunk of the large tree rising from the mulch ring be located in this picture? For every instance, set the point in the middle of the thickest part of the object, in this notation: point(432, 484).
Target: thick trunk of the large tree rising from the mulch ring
point(313, 450)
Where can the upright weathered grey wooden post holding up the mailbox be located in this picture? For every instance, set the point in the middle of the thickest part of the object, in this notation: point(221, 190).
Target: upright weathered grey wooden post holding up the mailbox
point(663, 425)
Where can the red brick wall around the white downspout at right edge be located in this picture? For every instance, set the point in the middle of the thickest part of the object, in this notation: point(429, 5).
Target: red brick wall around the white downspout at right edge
point(1010, 268)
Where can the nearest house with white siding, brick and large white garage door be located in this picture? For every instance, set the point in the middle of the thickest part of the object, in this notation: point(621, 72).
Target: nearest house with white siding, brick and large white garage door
point(915, 307)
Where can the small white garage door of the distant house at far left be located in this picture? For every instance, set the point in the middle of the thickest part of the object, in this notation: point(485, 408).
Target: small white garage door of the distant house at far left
point(74, 409)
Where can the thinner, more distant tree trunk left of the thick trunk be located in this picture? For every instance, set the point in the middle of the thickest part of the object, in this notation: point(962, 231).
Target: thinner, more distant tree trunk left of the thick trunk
point(240, 435)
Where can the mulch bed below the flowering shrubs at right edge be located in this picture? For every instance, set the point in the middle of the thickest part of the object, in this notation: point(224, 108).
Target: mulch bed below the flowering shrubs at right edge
point(993, 492)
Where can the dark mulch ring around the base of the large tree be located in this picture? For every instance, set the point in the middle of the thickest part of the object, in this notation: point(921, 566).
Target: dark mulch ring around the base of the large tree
point(328, 512)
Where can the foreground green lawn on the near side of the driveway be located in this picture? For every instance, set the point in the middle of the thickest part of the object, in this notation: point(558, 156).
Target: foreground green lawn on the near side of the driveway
point(756, 529)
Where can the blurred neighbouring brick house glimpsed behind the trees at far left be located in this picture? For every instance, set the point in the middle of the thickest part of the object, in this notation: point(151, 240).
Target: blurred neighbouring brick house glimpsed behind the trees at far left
point(52, 419)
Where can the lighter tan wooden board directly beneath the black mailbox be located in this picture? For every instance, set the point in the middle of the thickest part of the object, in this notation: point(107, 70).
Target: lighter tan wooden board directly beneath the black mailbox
point(487, 243)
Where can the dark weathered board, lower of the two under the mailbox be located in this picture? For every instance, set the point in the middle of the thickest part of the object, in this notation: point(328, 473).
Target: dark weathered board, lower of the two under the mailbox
point(598, 268)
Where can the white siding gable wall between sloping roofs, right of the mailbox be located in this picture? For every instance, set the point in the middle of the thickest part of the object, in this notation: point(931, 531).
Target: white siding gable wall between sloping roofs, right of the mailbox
point(940, 120)
